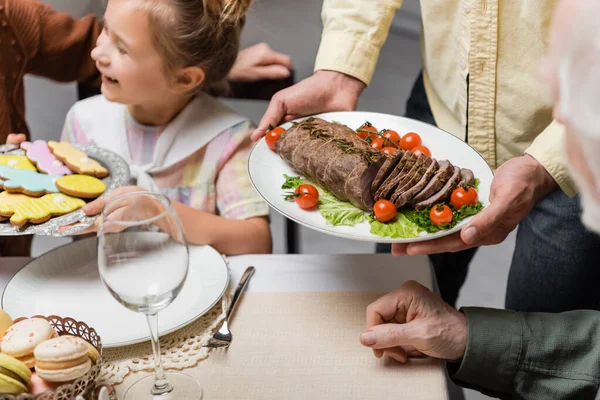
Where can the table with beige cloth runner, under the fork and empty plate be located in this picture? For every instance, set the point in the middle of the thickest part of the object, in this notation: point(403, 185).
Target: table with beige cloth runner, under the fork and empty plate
point(306, 313)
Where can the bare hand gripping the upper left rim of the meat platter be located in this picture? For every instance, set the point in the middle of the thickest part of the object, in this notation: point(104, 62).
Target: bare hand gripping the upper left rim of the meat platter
point(324, 91)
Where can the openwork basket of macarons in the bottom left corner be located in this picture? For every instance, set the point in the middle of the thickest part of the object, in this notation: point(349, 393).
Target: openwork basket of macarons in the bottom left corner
point(49, 358)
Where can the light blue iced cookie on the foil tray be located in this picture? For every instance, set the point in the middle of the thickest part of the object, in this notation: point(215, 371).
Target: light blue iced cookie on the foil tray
point(27, 182)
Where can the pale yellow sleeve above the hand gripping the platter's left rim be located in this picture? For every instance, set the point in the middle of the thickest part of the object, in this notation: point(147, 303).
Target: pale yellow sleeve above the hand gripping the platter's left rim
point(353, 33)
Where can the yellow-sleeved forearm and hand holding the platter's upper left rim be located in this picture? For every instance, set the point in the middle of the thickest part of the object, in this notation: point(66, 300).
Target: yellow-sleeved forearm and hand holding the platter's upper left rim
point(353, 33)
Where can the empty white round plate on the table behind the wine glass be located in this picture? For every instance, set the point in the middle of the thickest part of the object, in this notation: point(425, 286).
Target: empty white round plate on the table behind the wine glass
point(66, 282)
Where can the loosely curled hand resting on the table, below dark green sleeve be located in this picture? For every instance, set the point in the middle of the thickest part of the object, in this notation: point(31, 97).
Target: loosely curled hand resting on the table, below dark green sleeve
point(412, 317)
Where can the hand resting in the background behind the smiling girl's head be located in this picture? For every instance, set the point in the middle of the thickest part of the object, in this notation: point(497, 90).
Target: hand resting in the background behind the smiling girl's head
point(260, 62)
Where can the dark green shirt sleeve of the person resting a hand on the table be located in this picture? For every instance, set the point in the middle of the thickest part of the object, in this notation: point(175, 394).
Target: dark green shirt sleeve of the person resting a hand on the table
point(531, 355)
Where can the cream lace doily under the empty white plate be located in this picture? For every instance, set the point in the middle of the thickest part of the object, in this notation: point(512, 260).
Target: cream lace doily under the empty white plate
point(180, 349)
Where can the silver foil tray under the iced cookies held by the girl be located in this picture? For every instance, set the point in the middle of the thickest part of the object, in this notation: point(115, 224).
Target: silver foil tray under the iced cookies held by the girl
point(119, 176)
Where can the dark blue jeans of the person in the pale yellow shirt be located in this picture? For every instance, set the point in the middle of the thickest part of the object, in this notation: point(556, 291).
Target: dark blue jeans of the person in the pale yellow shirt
point(556, 263)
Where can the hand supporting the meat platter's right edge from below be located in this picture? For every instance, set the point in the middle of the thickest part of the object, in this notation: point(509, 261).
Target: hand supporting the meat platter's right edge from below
point(518, 186)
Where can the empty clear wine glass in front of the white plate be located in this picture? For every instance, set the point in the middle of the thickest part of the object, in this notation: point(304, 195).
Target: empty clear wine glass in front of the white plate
point(143, 260)
